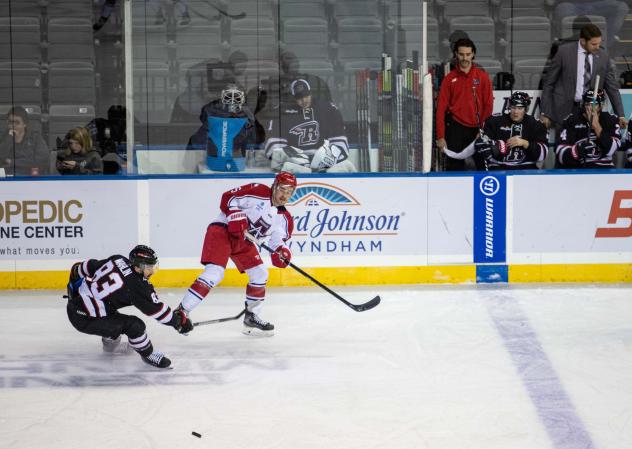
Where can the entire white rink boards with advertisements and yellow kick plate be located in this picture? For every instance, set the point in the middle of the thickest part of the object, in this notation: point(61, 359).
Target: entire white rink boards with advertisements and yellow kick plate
point(557, 226)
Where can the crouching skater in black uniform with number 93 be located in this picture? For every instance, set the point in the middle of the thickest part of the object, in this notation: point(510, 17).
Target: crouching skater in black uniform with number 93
point(97, 289)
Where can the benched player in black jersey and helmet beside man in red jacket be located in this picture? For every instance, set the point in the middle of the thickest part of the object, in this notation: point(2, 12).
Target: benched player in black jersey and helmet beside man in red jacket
point(513, 140)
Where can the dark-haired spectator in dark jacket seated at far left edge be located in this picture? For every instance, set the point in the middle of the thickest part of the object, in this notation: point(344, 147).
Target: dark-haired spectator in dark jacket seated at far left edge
point(23, 152)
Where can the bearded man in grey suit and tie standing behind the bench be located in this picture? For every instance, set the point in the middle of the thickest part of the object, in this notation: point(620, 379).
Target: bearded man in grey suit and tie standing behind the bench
point(574, 70)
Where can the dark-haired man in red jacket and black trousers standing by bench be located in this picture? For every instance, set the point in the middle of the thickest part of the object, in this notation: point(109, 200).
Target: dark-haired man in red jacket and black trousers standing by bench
point(465, 101)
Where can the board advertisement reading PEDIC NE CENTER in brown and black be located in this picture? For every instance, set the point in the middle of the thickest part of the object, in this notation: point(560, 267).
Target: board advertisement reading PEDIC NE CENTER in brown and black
point(66, 220)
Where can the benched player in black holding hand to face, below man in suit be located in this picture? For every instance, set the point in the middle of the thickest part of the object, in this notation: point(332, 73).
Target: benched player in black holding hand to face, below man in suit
point(590, 137)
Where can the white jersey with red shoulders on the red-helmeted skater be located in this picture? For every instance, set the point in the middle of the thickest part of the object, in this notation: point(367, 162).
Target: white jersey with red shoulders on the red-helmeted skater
point(264, 219)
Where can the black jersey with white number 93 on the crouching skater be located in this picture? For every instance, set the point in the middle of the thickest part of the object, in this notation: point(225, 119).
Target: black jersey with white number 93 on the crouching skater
point(111, 284)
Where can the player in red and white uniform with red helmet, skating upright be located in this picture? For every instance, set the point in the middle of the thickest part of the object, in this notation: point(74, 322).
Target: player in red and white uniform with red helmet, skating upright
point(261, 211)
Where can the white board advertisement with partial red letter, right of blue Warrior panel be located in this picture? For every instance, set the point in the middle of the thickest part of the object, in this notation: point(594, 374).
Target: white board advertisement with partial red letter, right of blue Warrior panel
point(579, 218)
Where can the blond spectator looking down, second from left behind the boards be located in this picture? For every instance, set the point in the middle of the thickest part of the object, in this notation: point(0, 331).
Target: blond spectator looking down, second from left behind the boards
point(78, 157)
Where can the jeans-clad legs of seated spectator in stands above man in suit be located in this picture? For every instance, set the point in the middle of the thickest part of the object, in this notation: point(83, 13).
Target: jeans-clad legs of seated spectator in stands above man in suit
point(614, 11)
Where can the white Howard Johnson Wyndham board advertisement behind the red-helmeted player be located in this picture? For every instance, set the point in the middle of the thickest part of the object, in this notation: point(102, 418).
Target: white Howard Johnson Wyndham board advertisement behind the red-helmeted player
point(338, 217)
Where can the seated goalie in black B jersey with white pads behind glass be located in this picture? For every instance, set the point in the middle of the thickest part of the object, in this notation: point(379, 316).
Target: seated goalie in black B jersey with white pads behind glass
point(309, 135)
